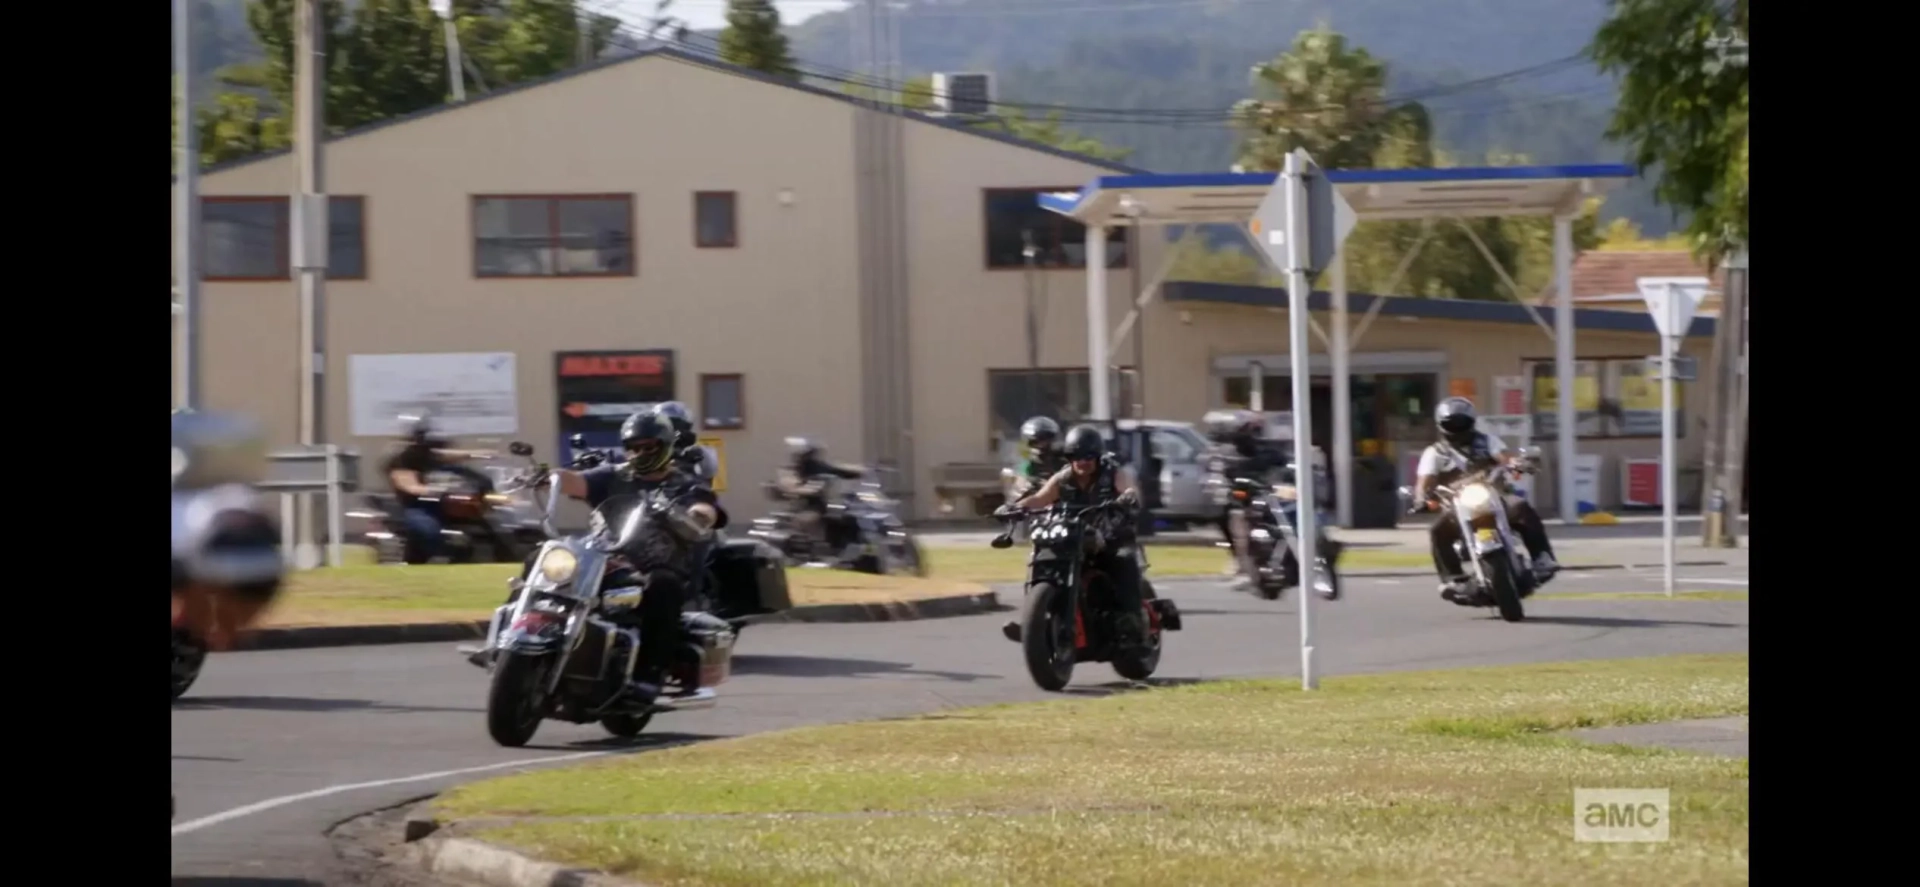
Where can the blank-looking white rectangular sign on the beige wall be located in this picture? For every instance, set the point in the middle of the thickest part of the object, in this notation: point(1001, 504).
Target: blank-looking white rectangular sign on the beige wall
point(462, 393)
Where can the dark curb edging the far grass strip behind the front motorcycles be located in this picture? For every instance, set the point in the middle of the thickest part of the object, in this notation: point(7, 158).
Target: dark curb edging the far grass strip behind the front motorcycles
point(435, 633)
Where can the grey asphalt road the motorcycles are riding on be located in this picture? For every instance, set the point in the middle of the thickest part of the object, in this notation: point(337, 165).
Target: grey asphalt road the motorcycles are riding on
point(272, 750)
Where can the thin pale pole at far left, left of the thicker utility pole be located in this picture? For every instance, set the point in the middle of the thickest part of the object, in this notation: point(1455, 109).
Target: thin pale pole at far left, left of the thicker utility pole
point(187, 212)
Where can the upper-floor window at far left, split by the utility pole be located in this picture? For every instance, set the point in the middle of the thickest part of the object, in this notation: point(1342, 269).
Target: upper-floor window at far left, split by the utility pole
point(251, 239)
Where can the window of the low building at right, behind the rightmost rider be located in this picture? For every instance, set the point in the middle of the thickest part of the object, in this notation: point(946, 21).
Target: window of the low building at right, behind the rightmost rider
point(1612, 398)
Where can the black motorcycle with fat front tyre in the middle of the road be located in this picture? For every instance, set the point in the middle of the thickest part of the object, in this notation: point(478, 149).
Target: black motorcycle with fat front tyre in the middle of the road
point(1068, 610)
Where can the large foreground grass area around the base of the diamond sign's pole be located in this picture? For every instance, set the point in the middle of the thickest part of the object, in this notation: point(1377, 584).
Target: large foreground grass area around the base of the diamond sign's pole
point(1404, 779)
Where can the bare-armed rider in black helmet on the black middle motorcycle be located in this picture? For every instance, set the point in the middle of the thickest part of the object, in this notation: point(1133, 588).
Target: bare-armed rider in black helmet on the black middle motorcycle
point(1095, 477)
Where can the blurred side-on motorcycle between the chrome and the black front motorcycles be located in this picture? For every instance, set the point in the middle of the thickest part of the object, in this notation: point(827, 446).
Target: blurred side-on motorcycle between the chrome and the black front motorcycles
point(880, 542)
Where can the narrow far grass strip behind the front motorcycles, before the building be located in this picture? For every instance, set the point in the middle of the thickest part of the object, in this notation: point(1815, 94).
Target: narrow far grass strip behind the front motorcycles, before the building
point(364, 594)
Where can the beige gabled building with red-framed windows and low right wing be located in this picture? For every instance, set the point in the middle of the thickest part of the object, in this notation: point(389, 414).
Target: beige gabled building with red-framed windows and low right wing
point(665, 226)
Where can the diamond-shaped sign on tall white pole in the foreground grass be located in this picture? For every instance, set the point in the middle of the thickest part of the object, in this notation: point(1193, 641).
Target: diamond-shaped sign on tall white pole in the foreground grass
point(1301, 226)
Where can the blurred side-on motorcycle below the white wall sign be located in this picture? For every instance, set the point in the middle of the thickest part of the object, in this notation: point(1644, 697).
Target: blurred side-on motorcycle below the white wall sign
point(489, 527)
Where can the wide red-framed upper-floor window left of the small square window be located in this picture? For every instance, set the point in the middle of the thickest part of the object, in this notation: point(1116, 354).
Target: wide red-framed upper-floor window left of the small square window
point(554, 235)
